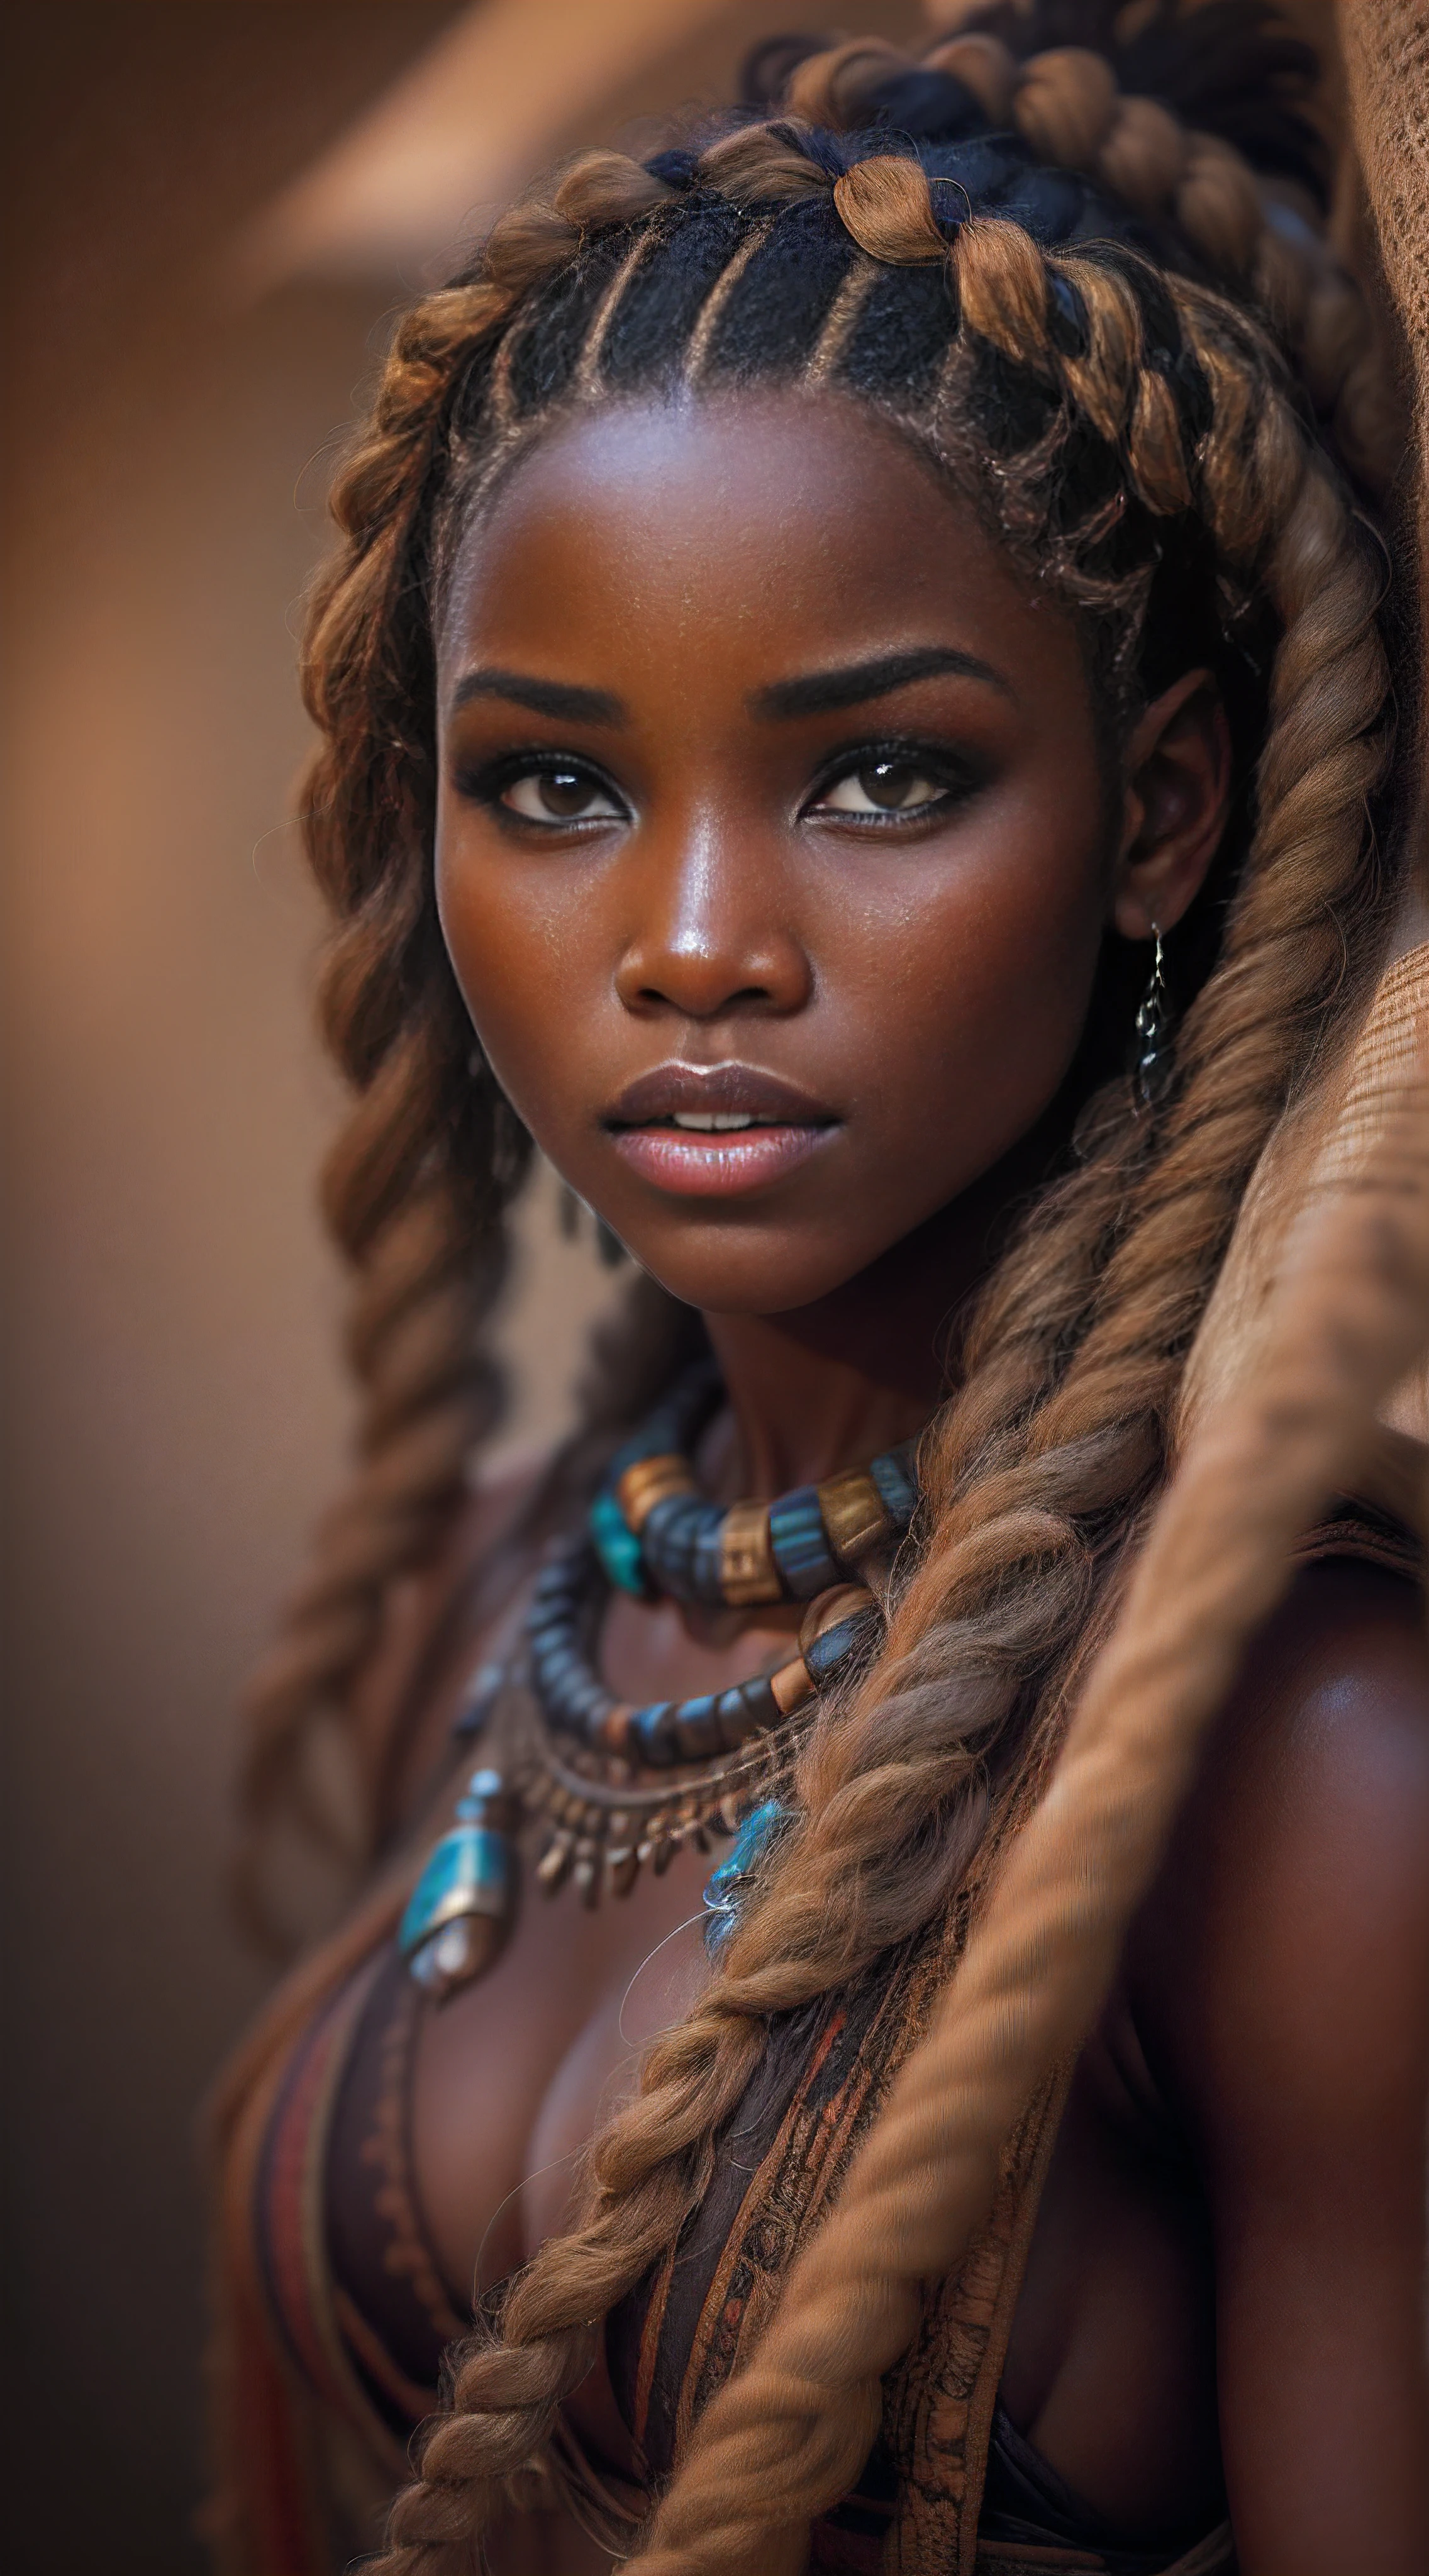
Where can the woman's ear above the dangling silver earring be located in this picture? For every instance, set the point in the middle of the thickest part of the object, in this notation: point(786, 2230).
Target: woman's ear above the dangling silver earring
point(1178, 790)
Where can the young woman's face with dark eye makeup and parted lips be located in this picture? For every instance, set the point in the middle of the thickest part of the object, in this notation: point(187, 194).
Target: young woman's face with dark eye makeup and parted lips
point(774, 854)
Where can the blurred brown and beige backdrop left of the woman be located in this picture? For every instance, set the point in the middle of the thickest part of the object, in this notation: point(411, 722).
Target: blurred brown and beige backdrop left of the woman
point(210, 213)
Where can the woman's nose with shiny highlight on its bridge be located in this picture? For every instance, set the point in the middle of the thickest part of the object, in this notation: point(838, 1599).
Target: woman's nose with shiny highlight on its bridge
point(712, 931)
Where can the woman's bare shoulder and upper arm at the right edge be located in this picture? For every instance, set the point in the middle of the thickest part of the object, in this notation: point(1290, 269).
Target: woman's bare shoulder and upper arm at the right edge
point(1281, 1990)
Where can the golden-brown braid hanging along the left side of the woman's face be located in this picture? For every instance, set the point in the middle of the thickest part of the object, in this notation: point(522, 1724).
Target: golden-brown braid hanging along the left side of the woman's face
point(403, 1189)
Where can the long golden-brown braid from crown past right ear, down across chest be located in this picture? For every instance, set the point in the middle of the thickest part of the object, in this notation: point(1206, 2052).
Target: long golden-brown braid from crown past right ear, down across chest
point(1062, 1428)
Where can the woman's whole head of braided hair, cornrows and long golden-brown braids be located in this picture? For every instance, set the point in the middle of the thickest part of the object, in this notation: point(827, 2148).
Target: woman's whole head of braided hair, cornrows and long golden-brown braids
point(1088, 282)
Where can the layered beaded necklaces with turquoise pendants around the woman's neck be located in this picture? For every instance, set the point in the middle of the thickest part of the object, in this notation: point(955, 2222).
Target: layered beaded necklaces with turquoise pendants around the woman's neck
point(619, 1789)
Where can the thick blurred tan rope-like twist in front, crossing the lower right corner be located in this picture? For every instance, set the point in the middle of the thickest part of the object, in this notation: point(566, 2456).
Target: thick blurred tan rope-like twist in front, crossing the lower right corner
point(789, 2436)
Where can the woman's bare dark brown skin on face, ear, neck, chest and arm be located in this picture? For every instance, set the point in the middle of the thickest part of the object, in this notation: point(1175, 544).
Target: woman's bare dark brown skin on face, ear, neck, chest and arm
point(1227, 2276)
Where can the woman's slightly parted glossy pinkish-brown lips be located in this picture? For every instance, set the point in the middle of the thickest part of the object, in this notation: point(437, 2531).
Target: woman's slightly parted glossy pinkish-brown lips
point(717, 1130)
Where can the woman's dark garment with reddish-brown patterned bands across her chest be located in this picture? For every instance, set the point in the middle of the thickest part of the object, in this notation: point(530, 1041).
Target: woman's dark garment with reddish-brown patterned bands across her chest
point(344, 2299)
